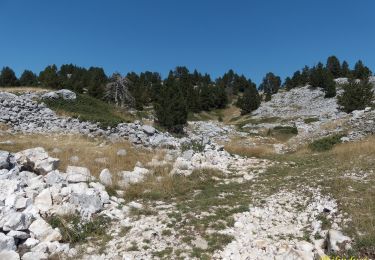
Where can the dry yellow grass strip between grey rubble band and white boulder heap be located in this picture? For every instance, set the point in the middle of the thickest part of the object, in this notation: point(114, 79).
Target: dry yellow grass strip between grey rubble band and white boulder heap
point(93, 154)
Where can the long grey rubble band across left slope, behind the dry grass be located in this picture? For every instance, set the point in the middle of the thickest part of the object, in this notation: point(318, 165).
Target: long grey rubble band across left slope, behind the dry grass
point(28, 116)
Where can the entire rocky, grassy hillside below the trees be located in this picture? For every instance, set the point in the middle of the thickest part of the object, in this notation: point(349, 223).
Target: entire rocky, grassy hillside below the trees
point(292, 180)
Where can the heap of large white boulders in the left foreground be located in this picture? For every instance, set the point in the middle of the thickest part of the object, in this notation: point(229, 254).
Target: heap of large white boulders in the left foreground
point(31, 189)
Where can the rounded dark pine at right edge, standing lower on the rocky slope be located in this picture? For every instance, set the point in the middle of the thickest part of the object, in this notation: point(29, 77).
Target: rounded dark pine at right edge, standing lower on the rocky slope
point(356, 95)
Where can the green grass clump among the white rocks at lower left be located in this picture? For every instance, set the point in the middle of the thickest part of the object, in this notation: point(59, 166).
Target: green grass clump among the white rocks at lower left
point(74, 230)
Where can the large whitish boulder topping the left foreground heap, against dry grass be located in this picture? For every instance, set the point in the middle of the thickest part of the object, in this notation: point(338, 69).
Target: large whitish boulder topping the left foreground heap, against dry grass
point(37, 160)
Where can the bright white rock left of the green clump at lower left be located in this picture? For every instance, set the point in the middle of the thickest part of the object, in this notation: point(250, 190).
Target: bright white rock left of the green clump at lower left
point(44, 232)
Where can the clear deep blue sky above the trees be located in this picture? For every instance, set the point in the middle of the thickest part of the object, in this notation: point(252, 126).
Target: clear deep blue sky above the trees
point(252, 37)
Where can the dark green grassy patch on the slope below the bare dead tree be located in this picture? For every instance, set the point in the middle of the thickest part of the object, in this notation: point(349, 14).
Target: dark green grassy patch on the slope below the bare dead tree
point(87, 108)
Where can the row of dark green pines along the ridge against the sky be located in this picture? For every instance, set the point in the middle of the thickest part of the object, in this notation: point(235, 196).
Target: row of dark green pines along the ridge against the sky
point(183, 92)
